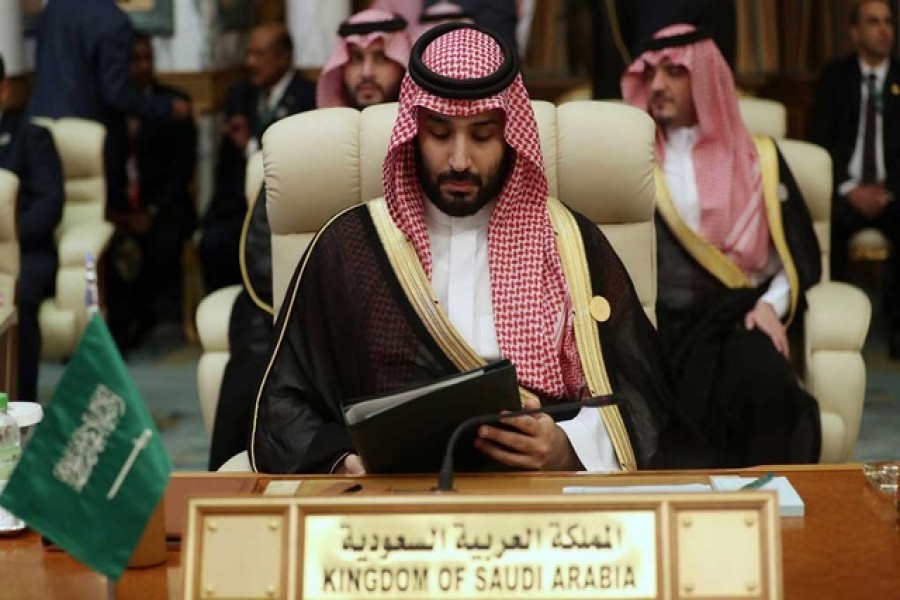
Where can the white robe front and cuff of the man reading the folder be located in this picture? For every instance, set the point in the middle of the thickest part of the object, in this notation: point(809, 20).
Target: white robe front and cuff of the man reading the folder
point(462, 283)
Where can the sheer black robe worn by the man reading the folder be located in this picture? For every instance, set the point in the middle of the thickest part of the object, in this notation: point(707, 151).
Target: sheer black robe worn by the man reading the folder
point(347, 330)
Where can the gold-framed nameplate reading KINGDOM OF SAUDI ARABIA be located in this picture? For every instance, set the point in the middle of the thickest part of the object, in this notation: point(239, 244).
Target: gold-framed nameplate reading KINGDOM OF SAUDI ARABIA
point(680, 545)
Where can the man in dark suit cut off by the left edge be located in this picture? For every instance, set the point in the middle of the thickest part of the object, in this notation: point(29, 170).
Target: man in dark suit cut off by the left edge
point(28, 151)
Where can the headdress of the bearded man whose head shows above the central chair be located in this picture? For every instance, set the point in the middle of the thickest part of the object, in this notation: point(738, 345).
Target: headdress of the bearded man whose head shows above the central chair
point(330, 87)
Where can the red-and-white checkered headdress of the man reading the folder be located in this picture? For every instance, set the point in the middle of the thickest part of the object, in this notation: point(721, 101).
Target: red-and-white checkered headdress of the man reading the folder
point(530, 298)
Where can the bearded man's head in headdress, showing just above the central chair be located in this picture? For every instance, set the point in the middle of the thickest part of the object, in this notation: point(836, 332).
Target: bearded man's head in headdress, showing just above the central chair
point(368, 62)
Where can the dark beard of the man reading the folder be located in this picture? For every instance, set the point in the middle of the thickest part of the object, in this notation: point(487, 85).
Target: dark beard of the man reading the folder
point(489, 186)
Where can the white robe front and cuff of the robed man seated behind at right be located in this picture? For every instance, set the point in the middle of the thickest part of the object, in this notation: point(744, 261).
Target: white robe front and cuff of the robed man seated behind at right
point(682, 182)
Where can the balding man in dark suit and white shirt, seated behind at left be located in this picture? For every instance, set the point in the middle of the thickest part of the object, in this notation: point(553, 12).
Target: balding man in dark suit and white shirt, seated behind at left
point(274, 91)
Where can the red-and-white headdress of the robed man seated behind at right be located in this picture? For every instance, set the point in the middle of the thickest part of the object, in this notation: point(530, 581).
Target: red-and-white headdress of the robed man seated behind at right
point(726, 165)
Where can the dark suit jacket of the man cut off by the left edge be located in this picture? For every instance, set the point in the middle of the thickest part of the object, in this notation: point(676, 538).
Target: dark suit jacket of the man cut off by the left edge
point(28, 151)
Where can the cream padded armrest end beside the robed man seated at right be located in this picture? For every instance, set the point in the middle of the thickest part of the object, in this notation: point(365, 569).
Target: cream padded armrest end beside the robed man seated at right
point(837, 317)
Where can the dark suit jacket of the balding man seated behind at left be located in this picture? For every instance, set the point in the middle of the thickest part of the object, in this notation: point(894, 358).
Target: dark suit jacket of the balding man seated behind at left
point(228, 197)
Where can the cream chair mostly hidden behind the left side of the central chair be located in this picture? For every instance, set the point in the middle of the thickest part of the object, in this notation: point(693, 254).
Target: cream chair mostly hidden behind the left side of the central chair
point(214, 314)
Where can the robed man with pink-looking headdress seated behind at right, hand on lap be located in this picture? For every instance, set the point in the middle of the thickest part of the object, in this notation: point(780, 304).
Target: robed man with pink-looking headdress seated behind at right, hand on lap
point(729, 283)
